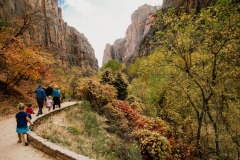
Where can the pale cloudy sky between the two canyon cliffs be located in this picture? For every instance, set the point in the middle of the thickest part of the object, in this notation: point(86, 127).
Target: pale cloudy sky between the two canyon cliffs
point(102, 21)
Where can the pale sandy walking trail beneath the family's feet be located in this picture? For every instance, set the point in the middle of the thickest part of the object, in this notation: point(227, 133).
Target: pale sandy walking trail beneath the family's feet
point(11, 150)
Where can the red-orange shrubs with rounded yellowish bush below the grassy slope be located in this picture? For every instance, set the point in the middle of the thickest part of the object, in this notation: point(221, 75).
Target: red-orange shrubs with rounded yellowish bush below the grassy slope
point(151, 133)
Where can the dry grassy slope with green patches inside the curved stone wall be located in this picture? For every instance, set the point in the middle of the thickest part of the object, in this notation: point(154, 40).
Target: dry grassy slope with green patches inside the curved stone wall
point(82, 131)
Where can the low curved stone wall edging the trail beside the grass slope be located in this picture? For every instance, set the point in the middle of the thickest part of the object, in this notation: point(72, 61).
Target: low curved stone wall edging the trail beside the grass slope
point(50, 148)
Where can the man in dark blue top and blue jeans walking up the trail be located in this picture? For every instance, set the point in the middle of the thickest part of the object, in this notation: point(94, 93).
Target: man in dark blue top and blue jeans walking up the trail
point(41, 97)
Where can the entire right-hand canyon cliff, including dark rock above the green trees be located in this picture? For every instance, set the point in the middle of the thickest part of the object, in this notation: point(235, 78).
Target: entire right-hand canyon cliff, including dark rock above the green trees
point(140, 33)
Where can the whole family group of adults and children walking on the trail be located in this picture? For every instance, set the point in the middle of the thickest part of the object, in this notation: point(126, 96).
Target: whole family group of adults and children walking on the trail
point(50, 96)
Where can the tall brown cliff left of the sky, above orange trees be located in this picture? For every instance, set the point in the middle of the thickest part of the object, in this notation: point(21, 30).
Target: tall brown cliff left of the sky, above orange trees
point(52, 32)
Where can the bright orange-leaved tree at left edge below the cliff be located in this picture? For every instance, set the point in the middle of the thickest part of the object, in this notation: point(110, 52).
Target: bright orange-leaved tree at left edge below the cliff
point(18, 59)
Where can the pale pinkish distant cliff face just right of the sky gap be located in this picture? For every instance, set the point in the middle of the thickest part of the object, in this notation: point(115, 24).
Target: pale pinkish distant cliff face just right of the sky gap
point(123, 49)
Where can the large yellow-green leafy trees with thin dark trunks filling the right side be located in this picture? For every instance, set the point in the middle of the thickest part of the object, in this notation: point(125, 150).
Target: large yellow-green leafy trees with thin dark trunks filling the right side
point(196, 66)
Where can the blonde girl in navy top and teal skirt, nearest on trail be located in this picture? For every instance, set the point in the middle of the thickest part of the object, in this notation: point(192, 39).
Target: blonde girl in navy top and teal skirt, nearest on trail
point(22, 127)
